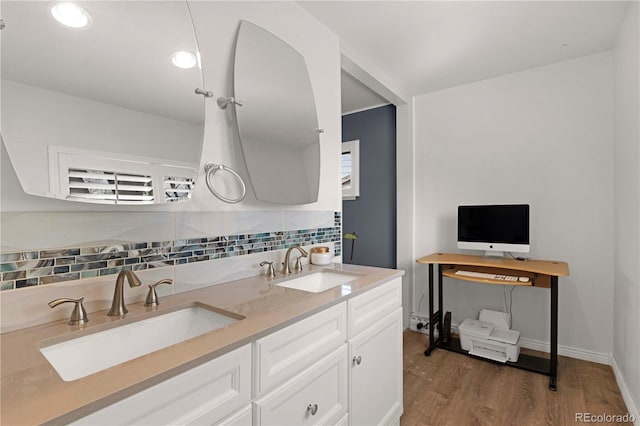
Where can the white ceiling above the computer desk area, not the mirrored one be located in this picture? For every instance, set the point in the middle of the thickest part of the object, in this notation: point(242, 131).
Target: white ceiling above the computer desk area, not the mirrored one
point(425, 46)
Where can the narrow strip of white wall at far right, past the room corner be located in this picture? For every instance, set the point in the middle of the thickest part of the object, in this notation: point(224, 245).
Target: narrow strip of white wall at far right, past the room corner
point(626, 289)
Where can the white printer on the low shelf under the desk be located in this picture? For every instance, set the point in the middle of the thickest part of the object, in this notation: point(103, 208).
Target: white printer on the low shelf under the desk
point(487, 340)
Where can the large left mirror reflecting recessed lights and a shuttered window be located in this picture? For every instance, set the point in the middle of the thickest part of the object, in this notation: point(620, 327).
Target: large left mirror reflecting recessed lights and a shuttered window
point(102, 108)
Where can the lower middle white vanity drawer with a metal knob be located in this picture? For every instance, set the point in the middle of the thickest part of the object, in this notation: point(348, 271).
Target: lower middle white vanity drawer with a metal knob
point(318, 396)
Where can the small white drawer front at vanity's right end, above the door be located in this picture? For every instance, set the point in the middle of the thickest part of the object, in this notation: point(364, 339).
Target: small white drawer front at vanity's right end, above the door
point(369, 307)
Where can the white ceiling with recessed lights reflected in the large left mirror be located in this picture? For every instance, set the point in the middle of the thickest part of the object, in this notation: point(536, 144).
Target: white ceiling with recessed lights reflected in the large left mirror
point(122, 58)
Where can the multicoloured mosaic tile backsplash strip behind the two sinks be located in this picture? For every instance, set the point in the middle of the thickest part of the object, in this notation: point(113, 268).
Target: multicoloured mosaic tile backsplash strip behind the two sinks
point(40, 267)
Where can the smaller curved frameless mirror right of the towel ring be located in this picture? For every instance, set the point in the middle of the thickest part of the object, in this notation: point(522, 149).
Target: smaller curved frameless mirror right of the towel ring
point(277, 121)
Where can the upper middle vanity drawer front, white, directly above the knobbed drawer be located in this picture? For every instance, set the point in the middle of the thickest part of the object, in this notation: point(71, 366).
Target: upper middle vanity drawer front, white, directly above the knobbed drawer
point(286, 352)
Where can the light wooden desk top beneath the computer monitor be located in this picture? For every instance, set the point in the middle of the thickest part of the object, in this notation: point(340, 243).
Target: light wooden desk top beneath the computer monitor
point(546, 267)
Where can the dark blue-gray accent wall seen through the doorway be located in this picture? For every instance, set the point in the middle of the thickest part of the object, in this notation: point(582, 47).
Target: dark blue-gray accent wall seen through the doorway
point(373, 214)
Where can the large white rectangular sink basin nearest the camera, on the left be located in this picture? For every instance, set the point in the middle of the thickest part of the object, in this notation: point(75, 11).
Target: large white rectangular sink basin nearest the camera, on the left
point(82, 356)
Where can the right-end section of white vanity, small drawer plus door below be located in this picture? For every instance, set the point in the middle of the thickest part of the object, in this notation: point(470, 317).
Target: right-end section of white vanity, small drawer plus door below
point(375, 354)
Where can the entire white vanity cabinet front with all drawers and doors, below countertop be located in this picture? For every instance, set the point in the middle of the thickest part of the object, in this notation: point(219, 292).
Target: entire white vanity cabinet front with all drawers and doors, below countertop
point(340, 366)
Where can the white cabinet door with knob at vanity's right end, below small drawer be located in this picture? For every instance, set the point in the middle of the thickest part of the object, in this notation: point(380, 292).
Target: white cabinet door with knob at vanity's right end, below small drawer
point(375, 364)
